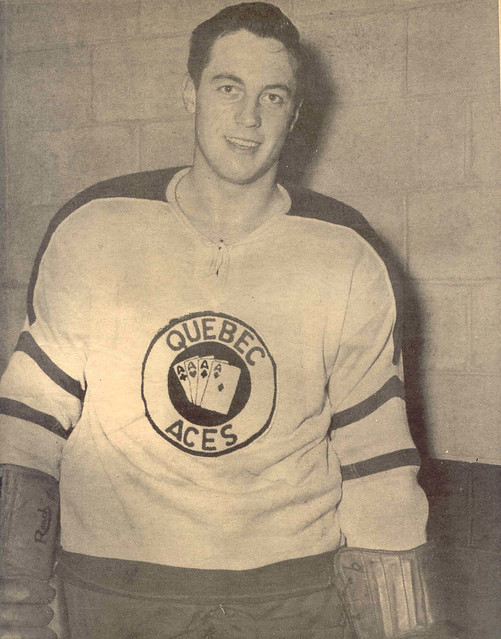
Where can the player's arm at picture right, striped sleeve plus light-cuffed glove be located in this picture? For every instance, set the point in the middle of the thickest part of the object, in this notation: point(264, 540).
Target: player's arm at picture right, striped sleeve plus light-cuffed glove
point(384, 571)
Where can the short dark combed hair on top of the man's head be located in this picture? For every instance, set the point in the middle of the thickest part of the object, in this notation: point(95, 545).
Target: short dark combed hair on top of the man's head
point(260, 18)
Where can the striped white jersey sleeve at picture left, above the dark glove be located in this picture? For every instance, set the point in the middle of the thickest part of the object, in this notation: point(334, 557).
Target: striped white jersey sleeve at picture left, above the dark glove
point(42, 390)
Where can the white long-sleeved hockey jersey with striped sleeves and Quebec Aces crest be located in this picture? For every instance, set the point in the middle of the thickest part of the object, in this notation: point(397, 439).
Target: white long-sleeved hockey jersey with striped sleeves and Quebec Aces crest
point(209, 405)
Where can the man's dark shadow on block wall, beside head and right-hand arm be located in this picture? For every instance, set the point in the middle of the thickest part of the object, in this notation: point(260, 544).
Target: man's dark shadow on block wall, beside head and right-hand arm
point(299, 158)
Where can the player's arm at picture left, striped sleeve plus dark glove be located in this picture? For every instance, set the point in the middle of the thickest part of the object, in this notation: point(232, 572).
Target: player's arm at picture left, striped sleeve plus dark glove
point(41, 398)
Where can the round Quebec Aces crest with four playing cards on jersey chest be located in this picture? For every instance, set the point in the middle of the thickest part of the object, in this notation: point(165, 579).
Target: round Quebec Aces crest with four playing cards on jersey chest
point(209, 384)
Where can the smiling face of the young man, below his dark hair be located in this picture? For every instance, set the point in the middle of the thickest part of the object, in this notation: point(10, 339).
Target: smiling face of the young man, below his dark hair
point(244, 106)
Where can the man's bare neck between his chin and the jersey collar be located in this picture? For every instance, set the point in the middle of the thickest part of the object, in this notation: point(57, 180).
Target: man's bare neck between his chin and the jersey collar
point(224, 210)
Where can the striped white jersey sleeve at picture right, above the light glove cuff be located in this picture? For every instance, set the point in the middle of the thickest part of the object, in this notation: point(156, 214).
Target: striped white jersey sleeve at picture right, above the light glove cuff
point(382, 505)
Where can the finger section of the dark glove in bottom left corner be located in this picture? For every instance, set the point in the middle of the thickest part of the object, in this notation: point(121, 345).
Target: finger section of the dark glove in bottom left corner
point(24, 610)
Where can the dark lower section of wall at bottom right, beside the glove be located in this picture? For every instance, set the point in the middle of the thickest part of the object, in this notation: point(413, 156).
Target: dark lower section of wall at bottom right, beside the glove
point(465, 527)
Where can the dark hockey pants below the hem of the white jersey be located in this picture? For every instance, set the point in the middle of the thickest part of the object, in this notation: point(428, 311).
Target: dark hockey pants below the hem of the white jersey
point(116, 599)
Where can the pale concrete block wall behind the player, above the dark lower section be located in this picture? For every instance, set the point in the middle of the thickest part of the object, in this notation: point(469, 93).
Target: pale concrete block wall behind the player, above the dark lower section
point(92, 89)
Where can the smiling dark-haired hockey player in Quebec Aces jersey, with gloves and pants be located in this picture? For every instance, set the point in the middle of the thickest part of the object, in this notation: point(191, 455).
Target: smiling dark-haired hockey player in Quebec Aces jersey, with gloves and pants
point(209, 375)
